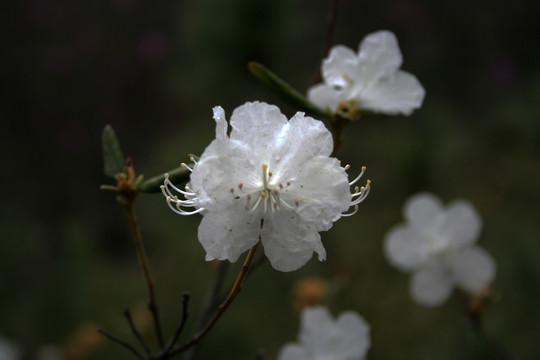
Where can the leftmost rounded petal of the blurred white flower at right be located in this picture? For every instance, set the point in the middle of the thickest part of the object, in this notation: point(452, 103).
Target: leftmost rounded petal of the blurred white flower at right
point(406, 248)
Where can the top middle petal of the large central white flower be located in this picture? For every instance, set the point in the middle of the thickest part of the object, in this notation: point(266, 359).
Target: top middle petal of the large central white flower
point(258, 126)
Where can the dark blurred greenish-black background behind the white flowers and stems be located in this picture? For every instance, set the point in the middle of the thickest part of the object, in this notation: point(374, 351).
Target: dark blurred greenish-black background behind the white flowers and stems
point(155, 69)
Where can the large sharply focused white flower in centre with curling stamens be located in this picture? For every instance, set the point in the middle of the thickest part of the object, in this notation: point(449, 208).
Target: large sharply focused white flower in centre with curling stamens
point(270, 180)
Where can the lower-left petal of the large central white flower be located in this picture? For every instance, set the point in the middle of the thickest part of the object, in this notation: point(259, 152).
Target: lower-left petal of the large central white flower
point(225, 235)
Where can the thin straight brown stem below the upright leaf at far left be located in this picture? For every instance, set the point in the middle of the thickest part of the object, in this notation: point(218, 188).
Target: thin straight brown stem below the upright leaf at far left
point(143, 261)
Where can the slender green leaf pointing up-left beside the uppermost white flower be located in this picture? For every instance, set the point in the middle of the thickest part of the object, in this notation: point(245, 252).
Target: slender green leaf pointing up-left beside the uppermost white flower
point(285, 91)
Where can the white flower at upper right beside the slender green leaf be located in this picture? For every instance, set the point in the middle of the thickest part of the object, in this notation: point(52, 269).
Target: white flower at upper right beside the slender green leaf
point(371, 79)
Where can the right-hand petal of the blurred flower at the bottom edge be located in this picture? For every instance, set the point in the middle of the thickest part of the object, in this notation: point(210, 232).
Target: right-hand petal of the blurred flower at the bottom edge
point(354, 336)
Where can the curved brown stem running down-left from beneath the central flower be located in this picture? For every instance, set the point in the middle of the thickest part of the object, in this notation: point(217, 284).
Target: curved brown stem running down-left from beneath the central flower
point(236, 288)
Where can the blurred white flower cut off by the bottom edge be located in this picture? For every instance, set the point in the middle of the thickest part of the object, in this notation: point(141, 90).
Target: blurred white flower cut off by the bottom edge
point(322, 338)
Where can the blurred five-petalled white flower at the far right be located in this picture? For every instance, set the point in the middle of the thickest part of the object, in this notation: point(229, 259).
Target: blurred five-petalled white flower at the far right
point(437, 245)
